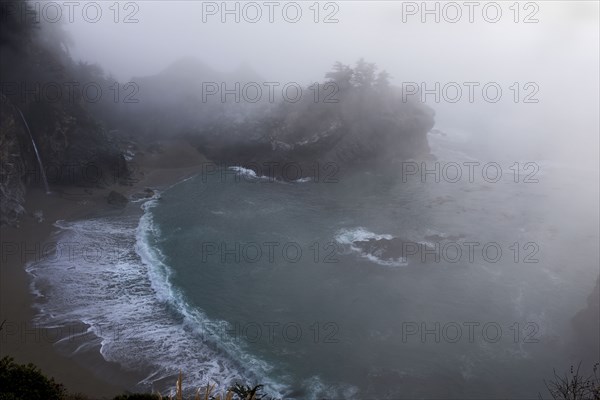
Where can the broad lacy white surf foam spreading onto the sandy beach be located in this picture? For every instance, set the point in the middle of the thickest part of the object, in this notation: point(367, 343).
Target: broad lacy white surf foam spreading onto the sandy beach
point(123, 292)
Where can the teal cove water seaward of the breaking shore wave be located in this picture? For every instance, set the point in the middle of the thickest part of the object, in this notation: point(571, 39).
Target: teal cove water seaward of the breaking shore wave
point(485, 320)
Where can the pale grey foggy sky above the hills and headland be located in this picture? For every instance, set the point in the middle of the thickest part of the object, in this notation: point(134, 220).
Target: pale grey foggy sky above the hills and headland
point(558, 53)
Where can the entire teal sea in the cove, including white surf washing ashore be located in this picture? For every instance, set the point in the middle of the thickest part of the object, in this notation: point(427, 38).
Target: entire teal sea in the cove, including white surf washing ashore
point(233, 277)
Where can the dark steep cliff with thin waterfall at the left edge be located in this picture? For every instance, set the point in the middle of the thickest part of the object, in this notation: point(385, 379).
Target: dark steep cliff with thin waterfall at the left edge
point(73, 145)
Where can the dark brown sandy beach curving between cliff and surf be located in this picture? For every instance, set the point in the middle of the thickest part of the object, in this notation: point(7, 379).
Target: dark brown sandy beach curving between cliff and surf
point(20, 338)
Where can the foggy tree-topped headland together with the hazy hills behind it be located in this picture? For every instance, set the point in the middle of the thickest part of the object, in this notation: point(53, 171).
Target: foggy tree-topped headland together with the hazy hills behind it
point(353, 120)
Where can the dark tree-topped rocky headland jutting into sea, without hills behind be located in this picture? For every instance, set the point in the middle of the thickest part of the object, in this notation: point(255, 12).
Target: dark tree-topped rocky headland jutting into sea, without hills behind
point(355, 133)
